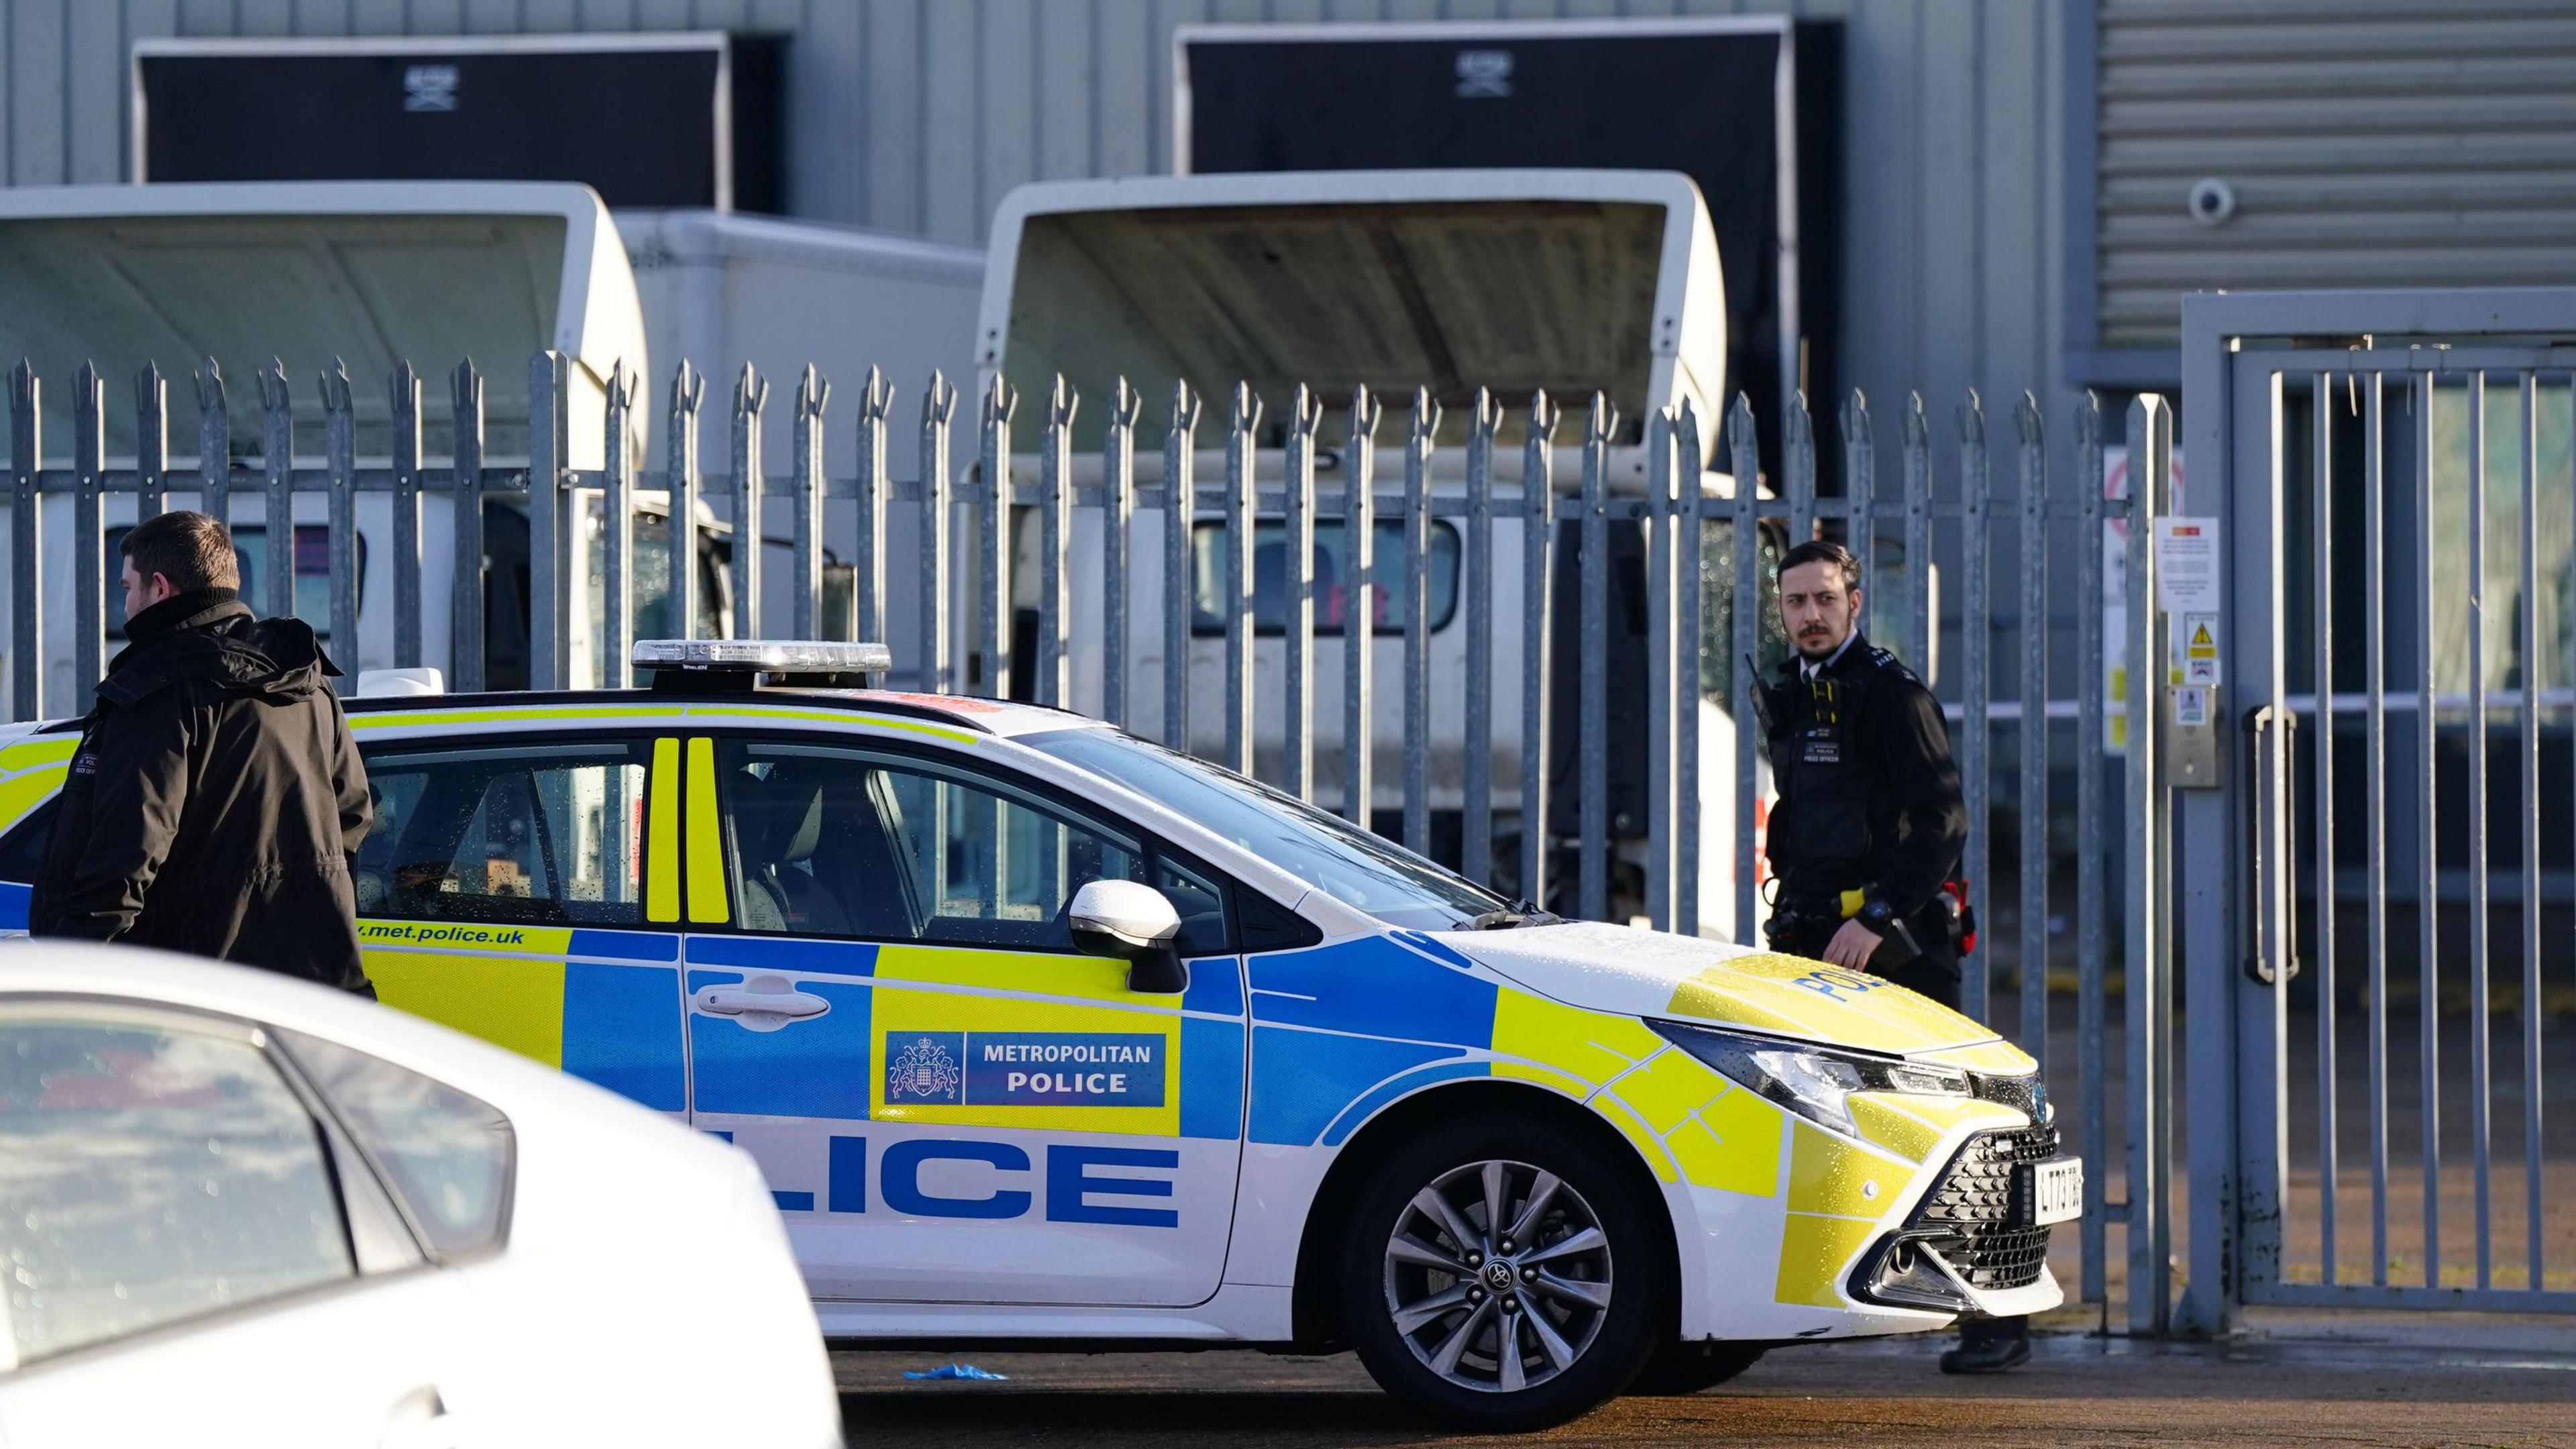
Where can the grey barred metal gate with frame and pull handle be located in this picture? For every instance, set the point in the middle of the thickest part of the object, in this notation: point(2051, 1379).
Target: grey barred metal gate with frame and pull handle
point(2376, 878)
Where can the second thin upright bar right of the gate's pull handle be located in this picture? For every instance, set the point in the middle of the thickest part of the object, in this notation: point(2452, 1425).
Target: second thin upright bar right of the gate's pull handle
point(2376, 764)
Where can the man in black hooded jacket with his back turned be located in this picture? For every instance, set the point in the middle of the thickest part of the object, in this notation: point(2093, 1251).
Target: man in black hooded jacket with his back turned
point(218, 793)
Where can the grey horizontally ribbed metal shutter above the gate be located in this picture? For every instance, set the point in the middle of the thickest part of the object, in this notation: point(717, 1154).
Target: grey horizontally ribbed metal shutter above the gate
point(2369, 143)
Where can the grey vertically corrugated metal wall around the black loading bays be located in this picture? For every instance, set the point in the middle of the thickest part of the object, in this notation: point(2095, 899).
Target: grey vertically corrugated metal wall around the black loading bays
point(921, 115)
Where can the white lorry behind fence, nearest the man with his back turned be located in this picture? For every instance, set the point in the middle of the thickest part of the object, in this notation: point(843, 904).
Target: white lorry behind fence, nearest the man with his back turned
point(439, 272)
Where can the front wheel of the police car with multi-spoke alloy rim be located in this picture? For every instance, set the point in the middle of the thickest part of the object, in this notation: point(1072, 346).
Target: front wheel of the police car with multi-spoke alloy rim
point(1501, 1275)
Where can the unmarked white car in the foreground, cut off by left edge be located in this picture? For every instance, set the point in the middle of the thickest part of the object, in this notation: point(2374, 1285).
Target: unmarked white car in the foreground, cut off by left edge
point(249, 1211)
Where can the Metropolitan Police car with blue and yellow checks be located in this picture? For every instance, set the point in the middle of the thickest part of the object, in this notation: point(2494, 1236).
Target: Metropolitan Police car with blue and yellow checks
point(1050, 1035)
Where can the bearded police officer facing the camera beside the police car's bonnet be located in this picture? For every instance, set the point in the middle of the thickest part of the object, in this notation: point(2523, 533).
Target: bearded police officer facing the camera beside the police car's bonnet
point(1869, 826)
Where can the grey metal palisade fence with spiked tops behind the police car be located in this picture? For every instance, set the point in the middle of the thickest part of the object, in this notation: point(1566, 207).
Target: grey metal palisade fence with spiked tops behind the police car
point(1653, 561)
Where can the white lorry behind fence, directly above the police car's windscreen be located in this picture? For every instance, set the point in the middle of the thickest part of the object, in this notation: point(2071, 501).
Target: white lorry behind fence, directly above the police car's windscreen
point(1449, 280)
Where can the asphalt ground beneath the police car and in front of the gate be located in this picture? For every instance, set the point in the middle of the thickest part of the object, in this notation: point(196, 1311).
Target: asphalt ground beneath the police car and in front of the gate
point(2075, 1391)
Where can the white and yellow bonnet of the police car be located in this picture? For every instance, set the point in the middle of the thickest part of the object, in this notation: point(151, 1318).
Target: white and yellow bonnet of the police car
point(1653, 973)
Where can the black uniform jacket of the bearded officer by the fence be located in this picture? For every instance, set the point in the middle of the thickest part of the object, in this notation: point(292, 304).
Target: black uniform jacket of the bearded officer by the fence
point(1869, 793)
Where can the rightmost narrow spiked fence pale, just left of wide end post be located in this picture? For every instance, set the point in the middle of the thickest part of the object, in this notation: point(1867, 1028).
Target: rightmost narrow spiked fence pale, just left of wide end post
point(2093, 834)
